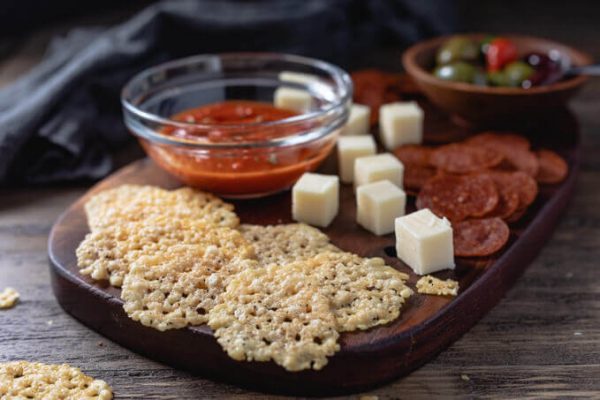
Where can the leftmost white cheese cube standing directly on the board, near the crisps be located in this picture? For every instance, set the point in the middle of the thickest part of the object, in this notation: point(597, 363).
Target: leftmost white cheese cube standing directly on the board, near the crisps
point(315, 199)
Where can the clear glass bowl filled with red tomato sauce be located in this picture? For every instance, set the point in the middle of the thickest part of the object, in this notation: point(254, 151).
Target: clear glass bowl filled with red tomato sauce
point(209, 120)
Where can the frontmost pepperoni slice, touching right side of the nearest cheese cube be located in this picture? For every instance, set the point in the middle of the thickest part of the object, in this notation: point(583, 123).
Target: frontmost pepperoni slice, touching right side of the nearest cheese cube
point(479, 237)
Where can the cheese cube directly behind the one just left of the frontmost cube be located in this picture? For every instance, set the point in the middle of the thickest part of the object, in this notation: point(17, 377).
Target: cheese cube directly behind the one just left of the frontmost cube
point(377, 168)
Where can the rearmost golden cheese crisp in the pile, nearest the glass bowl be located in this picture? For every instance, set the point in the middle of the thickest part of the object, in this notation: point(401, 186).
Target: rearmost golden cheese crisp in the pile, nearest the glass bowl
point(137, 203)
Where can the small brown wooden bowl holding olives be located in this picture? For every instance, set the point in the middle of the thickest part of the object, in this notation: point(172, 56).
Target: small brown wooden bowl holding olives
point(493, 107)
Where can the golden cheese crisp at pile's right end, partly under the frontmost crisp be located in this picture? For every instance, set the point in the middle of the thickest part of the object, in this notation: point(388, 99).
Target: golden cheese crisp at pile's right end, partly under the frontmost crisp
point(364, 292)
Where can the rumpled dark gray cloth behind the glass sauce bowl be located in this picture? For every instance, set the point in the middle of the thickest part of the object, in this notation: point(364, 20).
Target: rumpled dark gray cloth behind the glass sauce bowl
point(61, 121)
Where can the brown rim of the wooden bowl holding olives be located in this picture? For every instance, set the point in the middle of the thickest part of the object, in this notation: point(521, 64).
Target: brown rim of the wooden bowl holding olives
point(421, 74)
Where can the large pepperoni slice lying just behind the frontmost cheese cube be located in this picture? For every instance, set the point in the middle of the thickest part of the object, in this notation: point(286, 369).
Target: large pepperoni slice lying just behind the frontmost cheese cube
point(458, 197)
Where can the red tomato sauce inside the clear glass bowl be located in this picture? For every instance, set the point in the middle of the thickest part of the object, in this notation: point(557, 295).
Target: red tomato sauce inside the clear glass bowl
point(240, 172)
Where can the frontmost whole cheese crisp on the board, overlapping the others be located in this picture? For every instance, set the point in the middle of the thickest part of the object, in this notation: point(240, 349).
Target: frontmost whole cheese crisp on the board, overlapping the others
point(275, 313)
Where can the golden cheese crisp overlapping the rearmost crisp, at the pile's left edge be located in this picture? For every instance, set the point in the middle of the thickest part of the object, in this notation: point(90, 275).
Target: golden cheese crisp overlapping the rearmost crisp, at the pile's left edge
point(108, 251)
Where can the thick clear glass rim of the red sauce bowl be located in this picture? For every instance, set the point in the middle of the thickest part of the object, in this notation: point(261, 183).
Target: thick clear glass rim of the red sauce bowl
point(339, 76)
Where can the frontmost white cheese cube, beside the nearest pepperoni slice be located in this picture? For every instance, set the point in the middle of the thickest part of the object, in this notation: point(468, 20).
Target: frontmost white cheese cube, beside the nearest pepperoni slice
point(424, 242)
